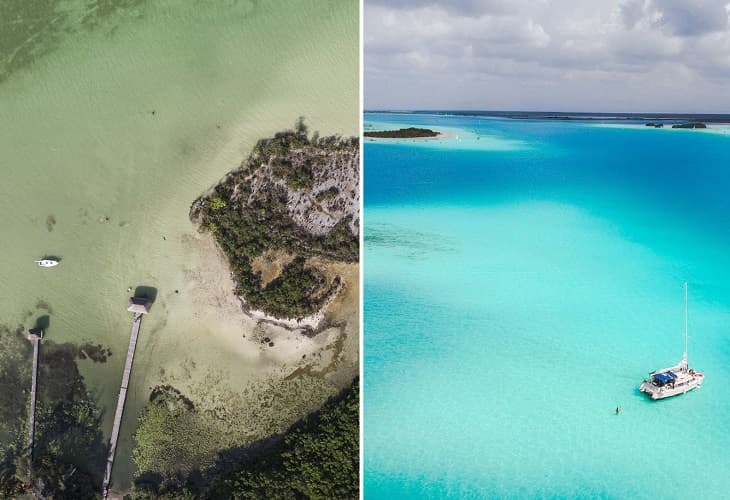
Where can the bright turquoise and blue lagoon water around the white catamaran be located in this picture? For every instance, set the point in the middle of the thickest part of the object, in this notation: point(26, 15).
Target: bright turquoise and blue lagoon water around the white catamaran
point(520, 282)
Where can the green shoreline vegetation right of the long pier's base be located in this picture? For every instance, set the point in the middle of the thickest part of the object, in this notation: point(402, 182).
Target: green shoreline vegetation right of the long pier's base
point(318, 457)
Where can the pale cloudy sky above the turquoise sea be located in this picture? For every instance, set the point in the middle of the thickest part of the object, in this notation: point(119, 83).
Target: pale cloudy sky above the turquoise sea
point(548, 55)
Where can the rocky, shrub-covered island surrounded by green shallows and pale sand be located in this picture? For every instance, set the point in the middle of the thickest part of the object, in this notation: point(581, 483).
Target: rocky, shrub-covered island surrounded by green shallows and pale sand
point(288, 211)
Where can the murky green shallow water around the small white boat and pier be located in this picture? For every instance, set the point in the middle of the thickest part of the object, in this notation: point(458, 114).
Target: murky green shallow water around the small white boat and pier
point(114, 117)
